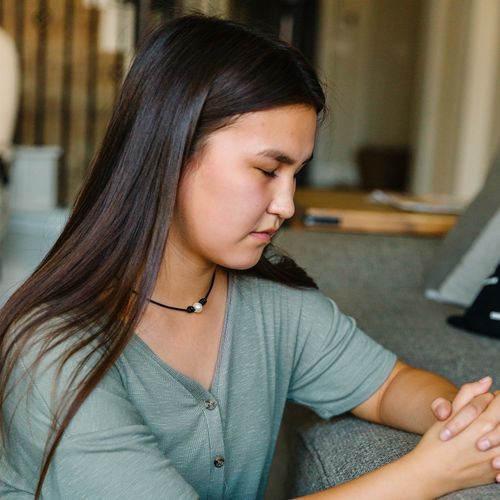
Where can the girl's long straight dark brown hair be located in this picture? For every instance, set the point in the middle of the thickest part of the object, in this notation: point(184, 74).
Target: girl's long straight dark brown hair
point(191, 77)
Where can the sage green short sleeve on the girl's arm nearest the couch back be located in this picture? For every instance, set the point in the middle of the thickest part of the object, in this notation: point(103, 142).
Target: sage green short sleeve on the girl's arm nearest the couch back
point(336, 366)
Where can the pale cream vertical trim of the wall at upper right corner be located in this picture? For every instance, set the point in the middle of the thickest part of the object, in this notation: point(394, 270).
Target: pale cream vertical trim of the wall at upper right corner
point(457, 129)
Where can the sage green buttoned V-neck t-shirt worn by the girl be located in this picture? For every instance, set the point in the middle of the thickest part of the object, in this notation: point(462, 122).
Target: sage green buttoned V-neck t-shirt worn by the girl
point(147, 431)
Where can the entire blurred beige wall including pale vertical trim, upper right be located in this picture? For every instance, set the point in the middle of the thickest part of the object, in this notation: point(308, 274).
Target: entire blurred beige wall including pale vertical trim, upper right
point(423, 73)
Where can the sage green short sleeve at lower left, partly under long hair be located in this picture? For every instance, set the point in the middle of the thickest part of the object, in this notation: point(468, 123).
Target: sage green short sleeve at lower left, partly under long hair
point(107, 451)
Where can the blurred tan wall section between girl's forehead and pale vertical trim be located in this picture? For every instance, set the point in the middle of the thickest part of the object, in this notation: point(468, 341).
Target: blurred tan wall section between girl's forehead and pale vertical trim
point(367, 52)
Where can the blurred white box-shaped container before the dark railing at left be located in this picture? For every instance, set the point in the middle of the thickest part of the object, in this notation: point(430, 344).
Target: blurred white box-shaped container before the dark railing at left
point(33, 183)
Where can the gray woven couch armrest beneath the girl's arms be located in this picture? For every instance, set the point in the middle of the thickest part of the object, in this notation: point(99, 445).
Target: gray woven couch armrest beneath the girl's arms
point(330, 453)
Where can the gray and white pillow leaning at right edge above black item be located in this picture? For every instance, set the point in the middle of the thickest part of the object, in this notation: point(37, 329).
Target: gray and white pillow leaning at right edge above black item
point(469, 252)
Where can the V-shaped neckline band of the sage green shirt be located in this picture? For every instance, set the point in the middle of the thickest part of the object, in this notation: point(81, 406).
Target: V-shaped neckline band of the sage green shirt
point(183, 379)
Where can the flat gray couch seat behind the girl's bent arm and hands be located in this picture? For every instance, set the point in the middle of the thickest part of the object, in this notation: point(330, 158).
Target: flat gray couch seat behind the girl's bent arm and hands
point(416, 330)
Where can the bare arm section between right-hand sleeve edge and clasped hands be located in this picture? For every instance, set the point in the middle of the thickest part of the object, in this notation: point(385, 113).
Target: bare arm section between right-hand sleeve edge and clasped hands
point(406, 404)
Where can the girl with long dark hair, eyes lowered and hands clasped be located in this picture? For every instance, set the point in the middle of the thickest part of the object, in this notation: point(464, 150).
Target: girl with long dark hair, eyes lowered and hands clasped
point(152, 351)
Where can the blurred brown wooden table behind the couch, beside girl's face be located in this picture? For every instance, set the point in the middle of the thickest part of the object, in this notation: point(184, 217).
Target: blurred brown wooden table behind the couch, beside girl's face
point(353, 212)
